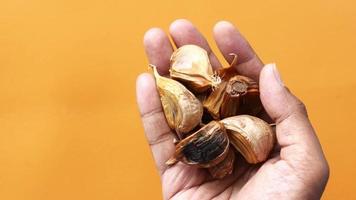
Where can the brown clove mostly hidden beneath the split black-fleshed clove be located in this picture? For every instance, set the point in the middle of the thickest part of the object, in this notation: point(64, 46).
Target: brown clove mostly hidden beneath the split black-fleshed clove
point(225, 167)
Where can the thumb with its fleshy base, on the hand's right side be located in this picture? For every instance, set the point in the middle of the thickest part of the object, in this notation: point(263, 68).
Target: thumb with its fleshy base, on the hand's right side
point(300, 147)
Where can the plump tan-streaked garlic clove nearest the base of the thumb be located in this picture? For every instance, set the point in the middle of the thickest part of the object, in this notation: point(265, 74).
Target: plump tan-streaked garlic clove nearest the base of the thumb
point(251, 136)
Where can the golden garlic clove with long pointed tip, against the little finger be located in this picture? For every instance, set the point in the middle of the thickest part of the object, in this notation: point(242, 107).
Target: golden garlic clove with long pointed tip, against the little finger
point(182, 109)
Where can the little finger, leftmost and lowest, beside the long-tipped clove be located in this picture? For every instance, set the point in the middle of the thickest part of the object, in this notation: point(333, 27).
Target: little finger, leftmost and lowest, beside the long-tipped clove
point(158, 134)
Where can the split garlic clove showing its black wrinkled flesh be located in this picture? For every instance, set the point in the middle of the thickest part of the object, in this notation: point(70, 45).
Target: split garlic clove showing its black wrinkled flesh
point(205, 148)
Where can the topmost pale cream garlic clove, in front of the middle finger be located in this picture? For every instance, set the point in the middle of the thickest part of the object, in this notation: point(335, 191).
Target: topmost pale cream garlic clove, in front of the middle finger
point(190, 65)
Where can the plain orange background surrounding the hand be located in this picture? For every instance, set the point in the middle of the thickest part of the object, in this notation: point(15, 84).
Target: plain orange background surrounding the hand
point(69, 126)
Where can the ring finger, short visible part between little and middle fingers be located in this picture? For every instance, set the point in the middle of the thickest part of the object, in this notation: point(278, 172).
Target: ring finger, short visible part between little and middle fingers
point(158, 49)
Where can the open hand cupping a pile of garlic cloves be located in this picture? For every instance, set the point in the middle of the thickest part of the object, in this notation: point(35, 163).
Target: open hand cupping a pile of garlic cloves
point(297, 168)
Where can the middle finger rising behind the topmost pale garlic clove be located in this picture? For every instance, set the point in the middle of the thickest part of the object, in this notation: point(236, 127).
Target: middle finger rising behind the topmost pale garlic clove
point(184, 32)
